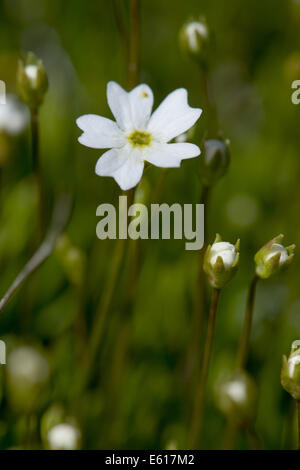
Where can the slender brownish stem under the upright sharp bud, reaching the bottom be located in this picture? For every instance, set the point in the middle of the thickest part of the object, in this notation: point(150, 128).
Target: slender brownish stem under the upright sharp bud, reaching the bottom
point(200, 392)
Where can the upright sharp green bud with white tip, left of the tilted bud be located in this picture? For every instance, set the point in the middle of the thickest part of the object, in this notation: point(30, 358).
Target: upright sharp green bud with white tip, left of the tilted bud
point(221, 262)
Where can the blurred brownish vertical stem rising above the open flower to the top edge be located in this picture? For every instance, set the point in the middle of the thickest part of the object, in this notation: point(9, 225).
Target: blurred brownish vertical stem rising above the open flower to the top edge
point(134, 43)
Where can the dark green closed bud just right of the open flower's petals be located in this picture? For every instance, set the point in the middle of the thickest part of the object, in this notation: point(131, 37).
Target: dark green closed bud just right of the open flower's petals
point(214, 161)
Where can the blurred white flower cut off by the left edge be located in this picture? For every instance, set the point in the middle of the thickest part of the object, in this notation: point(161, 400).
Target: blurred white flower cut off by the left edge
point(14, 116)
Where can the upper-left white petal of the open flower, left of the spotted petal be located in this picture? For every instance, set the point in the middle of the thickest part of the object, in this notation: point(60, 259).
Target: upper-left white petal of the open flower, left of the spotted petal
point(118, 101)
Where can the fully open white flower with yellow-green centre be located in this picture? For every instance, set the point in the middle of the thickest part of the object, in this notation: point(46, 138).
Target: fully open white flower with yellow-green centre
point(137, 136)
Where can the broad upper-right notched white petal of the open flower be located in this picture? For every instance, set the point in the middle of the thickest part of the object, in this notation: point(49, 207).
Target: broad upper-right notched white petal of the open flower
point(173, 116)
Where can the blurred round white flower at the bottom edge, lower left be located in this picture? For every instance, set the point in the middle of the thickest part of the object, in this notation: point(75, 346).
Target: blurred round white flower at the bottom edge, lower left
point(64, 436)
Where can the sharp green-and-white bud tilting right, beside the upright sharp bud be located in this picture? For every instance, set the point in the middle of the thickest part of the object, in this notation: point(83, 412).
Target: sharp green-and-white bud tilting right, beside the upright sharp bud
point(273, 257)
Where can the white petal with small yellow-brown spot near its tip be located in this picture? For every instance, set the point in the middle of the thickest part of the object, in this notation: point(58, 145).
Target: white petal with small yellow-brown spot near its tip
point(141, 102)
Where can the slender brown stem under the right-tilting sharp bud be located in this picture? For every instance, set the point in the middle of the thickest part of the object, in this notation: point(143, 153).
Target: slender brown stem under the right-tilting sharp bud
point(245, 337)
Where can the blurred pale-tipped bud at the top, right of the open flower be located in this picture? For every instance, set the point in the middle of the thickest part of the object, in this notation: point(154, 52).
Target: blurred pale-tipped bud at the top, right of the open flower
point(194, 39)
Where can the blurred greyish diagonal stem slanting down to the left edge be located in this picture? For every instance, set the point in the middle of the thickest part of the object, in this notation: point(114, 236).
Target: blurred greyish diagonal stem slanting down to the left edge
point(60, 217)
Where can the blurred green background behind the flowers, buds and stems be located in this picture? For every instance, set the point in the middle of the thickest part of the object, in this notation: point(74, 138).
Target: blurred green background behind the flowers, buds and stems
point(255, 58)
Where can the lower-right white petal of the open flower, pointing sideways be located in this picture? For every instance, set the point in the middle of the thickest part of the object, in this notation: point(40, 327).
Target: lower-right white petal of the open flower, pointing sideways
point(170, 155)
